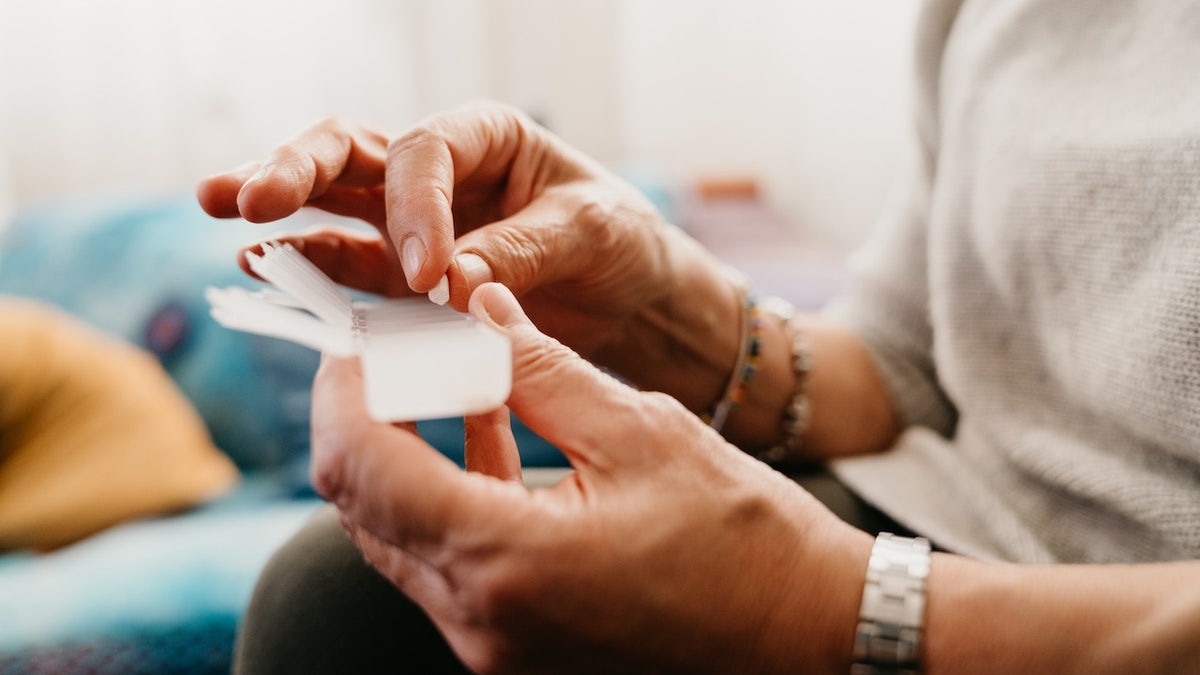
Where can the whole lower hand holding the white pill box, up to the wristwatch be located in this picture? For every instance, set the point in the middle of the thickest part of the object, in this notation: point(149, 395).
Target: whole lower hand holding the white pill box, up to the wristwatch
point(665, 551)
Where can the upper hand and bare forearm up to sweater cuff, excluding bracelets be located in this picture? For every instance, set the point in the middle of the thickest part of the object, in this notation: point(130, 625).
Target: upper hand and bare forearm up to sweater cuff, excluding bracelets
point(485, 195)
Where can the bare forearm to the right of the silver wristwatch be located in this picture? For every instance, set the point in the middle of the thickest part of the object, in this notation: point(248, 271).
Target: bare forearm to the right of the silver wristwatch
point(1063, 619)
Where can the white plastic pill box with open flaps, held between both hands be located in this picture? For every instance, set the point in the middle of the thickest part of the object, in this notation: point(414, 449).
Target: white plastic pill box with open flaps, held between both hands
point(419, 361)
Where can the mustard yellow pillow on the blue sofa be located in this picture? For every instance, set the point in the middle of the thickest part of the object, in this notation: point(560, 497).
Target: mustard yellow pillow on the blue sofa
point(93, 433)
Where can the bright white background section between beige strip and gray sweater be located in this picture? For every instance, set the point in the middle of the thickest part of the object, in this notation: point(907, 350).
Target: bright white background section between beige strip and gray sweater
point(809, 95)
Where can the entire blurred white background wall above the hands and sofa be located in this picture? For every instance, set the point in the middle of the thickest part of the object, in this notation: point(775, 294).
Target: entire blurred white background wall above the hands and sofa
point(808, 95)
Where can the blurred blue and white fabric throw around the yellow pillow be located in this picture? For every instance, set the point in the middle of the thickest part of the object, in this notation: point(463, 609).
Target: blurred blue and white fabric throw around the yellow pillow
point(165, 596)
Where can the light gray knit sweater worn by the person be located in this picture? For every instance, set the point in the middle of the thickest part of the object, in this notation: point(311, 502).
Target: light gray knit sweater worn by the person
point(1034, 298)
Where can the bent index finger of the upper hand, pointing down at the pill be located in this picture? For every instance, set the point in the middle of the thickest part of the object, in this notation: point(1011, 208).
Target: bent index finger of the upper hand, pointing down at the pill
point(427, 165)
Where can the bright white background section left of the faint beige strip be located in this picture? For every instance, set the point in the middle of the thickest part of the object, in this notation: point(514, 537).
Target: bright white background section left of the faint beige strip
point(155, 93)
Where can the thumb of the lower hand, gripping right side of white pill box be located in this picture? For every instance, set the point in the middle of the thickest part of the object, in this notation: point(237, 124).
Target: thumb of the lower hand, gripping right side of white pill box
point(596, 421)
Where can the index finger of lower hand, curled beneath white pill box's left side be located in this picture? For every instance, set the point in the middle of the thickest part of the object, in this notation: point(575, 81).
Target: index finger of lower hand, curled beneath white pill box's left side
point(387, 479)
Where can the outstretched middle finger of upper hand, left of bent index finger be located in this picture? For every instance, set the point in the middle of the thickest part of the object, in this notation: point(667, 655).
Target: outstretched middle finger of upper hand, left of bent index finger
point(305, 169)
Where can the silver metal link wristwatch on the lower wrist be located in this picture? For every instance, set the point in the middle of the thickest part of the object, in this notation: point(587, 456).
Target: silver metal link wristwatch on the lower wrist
point(890, 623)
